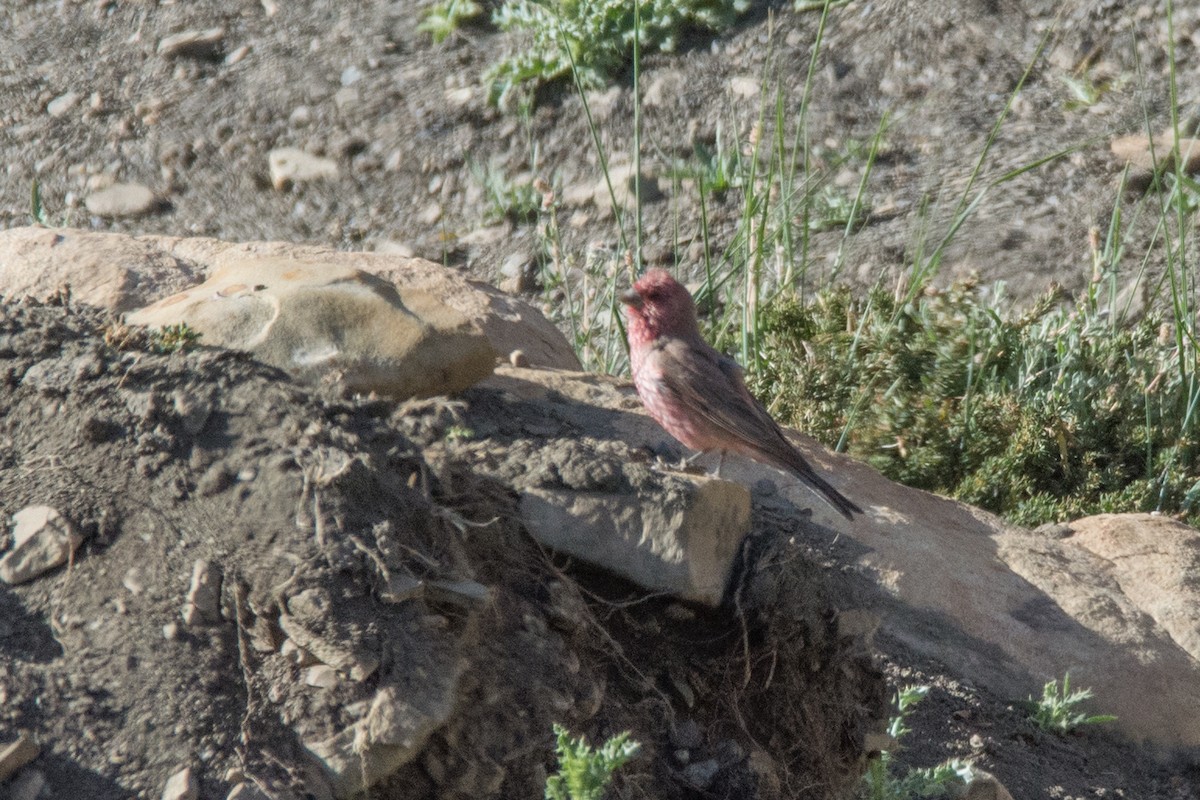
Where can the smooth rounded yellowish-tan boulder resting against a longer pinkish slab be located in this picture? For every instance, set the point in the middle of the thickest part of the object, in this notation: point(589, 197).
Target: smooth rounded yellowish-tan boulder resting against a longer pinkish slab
point(326, 323)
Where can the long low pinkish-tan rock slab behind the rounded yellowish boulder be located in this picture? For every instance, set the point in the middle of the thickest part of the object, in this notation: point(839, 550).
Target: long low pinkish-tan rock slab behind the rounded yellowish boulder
point(124, 273)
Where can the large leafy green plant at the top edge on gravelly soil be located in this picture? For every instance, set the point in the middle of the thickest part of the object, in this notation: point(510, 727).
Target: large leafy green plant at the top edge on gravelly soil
point(595, 38)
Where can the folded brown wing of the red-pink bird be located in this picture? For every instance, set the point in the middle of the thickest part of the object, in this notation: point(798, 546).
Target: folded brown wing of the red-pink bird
point(712, 386)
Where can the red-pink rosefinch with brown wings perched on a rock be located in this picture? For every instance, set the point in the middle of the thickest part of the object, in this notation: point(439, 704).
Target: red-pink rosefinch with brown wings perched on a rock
point(698, 394)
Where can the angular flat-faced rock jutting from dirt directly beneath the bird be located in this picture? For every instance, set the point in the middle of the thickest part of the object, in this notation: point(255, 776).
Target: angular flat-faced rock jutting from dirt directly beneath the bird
point(683, 544)
